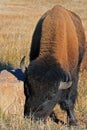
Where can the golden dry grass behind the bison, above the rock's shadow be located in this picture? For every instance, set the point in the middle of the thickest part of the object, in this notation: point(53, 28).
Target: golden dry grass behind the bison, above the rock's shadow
point(18, 20)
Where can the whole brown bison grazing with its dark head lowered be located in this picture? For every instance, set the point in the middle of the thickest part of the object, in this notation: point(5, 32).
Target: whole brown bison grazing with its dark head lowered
point(57, 49)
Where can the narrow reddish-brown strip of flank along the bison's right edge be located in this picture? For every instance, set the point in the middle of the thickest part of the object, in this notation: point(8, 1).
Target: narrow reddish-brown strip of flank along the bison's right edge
point(80, 34)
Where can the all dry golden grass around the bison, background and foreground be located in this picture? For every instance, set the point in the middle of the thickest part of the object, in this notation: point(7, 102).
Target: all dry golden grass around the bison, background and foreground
point(18, 19)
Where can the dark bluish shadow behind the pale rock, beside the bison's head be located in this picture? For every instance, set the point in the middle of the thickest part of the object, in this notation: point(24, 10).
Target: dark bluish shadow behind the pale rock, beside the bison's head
point(16, 72)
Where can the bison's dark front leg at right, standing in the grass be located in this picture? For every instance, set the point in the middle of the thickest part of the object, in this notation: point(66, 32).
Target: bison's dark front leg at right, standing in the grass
point(68, 103)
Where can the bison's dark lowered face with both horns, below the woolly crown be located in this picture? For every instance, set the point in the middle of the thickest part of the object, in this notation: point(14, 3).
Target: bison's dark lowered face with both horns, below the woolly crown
point(42, 96)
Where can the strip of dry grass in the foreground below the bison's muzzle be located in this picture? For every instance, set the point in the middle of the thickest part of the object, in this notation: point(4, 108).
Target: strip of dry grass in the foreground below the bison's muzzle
point(18, 123)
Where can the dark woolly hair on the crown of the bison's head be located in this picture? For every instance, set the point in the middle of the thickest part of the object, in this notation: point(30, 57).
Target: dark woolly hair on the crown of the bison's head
point(46, 71)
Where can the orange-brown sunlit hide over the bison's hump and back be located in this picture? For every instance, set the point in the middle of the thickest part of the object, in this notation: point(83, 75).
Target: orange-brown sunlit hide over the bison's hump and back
point(59, 38)
